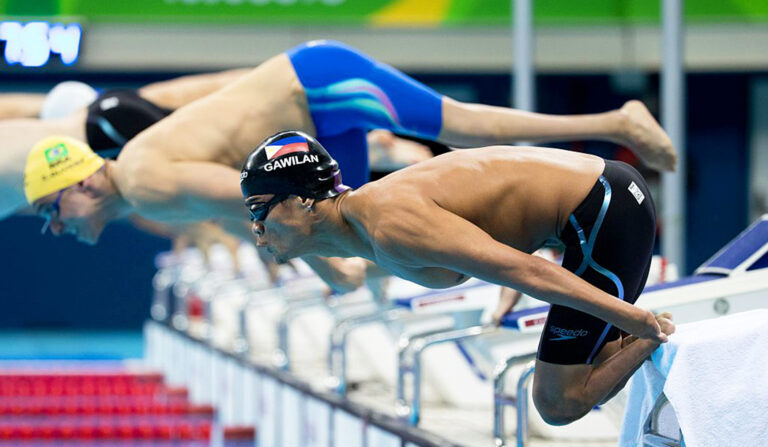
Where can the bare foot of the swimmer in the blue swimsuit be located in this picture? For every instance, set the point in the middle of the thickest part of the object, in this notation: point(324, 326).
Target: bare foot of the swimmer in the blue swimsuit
point(640, 132)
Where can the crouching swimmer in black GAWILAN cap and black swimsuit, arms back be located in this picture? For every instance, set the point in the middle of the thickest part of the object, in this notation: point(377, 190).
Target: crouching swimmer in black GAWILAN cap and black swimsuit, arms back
point(423, 223)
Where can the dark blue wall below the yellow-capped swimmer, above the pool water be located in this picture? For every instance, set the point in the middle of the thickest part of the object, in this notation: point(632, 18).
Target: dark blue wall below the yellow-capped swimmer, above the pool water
point(58, 283)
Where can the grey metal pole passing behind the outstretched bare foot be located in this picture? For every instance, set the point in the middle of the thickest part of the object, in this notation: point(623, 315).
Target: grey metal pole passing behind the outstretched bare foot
point(673, 119)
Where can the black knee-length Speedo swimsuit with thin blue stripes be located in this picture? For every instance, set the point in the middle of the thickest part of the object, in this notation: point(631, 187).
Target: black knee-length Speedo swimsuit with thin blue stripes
point(609, 243)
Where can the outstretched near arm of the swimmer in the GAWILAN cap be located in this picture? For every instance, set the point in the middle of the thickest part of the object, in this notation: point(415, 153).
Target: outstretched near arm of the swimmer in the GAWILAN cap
point(423, 234)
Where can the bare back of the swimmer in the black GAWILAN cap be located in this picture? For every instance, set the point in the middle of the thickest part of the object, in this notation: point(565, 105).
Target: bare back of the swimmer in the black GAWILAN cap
point(520, 197)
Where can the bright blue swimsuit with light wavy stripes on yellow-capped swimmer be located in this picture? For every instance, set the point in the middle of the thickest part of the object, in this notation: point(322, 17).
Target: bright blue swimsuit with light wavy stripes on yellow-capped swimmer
point(349, 94)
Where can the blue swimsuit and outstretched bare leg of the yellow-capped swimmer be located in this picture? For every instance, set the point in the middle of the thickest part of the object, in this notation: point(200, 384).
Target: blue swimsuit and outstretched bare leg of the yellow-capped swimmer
point(349, 93)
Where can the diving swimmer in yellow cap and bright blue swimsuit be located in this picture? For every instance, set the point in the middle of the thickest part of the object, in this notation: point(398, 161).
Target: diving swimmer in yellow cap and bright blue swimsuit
point(186, 167)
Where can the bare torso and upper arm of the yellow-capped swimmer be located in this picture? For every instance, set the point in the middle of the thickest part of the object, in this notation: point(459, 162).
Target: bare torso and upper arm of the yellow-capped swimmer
point(186, 167)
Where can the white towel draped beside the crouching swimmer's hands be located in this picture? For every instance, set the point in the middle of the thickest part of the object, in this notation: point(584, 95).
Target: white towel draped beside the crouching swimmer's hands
point(715, 375)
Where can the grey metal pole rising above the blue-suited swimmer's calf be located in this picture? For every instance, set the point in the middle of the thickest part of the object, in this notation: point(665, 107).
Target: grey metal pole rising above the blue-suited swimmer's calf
point(523, 84)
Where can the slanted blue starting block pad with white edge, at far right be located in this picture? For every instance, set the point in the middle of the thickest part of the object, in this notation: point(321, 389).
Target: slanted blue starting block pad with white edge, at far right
point(748, 251)
